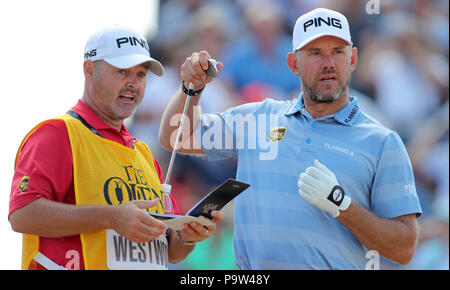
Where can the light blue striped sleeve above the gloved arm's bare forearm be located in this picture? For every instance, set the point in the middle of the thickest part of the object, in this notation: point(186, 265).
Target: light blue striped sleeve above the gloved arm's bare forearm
point(394, 191)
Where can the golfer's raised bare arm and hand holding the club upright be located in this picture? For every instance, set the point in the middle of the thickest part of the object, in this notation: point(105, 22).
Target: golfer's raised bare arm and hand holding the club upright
point(192, 71)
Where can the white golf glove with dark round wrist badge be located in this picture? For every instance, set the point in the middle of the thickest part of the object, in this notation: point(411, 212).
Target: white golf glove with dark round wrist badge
point(319, 186)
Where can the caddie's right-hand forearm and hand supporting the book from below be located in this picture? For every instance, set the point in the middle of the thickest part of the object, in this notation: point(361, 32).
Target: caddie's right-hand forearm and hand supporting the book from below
point(192, 232)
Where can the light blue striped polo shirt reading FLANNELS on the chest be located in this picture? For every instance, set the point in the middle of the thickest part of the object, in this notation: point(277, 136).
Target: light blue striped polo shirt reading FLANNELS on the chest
point(275, 141)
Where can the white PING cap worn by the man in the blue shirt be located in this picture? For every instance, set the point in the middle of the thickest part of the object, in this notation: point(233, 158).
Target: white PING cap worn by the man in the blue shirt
point(317, 23)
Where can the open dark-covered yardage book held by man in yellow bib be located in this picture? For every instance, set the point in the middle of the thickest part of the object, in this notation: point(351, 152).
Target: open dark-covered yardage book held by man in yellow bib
point(215, 200)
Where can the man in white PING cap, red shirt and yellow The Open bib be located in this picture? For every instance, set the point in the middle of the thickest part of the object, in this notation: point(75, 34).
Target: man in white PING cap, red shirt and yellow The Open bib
point(83, 186)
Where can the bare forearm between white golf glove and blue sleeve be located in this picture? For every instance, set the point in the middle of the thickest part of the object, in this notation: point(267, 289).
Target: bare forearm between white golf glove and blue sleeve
point(394, 239)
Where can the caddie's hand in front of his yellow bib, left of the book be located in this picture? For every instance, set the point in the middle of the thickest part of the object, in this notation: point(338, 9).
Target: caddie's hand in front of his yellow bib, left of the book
point(131, 222)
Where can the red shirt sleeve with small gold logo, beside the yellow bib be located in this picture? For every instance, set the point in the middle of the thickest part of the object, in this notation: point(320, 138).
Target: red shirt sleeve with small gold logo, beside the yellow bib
point(44, 167)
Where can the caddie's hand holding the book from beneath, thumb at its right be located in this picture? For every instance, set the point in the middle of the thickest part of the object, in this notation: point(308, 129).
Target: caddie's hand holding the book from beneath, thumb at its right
point(195, 232)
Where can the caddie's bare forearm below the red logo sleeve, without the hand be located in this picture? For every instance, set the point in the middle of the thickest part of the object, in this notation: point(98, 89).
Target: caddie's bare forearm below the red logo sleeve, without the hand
point(48, 218)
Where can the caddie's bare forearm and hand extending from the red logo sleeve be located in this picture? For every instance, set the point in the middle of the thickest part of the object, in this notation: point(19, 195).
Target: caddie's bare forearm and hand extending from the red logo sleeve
point(48, 218)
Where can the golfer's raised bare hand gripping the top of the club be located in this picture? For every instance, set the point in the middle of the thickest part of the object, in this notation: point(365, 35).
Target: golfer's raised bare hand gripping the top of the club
point(193, 70)
